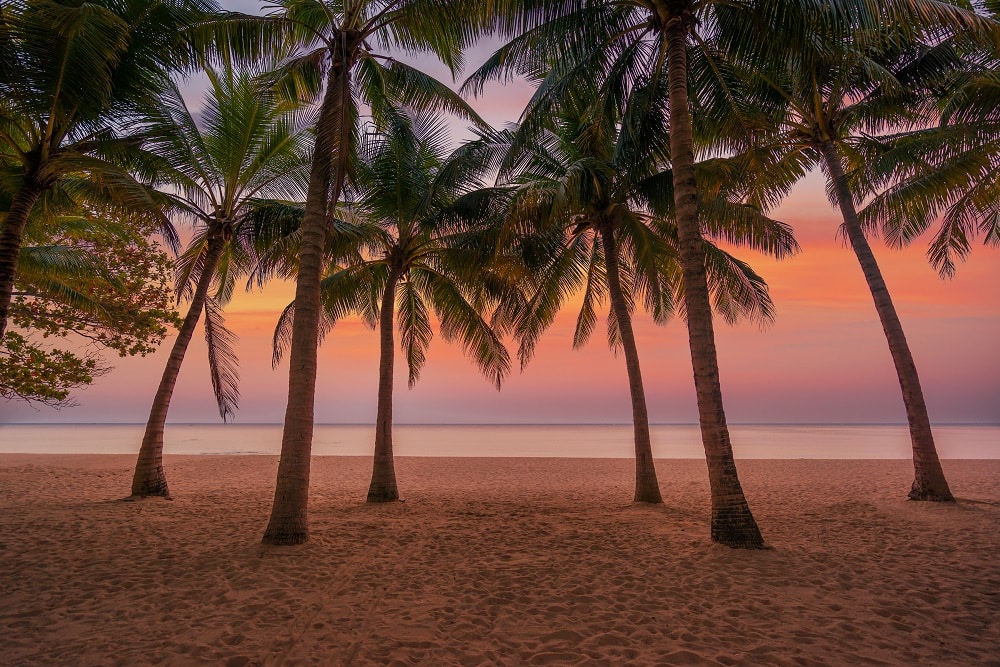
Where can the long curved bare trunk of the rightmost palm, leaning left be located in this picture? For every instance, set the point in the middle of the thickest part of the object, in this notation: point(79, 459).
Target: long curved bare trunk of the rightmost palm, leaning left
point(929, 482)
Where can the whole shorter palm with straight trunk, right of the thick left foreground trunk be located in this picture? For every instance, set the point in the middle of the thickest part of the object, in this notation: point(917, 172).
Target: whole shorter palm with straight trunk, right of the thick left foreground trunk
point(417, 256)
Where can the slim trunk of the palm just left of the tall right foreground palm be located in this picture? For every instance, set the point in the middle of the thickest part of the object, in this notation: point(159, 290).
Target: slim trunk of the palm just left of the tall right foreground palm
point(646, 488)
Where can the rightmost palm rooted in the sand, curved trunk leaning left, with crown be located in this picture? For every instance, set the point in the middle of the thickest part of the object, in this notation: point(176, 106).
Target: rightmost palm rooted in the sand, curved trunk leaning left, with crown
point(830, 99)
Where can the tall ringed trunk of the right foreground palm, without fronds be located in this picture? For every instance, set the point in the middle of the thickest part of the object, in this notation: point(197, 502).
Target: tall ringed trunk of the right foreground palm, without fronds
point(732, 522)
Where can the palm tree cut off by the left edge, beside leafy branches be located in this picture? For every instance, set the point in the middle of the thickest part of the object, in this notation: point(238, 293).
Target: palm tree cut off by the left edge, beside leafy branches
point(73, 74)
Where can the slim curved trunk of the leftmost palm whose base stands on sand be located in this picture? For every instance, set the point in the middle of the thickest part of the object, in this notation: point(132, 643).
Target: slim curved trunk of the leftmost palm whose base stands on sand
point(149, 478)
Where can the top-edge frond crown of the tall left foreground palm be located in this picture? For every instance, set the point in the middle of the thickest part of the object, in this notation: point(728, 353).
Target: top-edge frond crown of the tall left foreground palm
point(320, 33)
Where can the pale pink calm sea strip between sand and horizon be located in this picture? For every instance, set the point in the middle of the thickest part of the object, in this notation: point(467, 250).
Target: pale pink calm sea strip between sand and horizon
point(581, 441)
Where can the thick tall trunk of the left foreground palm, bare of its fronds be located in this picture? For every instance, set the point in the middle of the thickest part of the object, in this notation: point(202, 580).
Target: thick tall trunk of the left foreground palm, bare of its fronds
point(289, 513)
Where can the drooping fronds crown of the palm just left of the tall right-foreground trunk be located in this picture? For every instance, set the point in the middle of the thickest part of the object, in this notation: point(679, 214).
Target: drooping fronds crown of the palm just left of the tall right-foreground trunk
point(592, 166)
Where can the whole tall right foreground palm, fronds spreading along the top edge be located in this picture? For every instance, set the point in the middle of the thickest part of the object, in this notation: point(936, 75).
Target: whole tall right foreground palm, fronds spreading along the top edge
point(615, 41)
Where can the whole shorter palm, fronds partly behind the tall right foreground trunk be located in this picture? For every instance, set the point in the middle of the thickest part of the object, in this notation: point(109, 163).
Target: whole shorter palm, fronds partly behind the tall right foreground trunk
point(590, 173)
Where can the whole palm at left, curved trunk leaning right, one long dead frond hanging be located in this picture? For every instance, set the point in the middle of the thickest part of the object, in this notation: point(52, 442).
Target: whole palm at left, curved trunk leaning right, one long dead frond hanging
point(247, 150)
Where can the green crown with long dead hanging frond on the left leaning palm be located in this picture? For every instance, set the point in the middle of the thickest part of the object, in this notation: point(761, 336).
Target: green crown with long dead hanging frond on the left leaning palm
point(247, 153)
